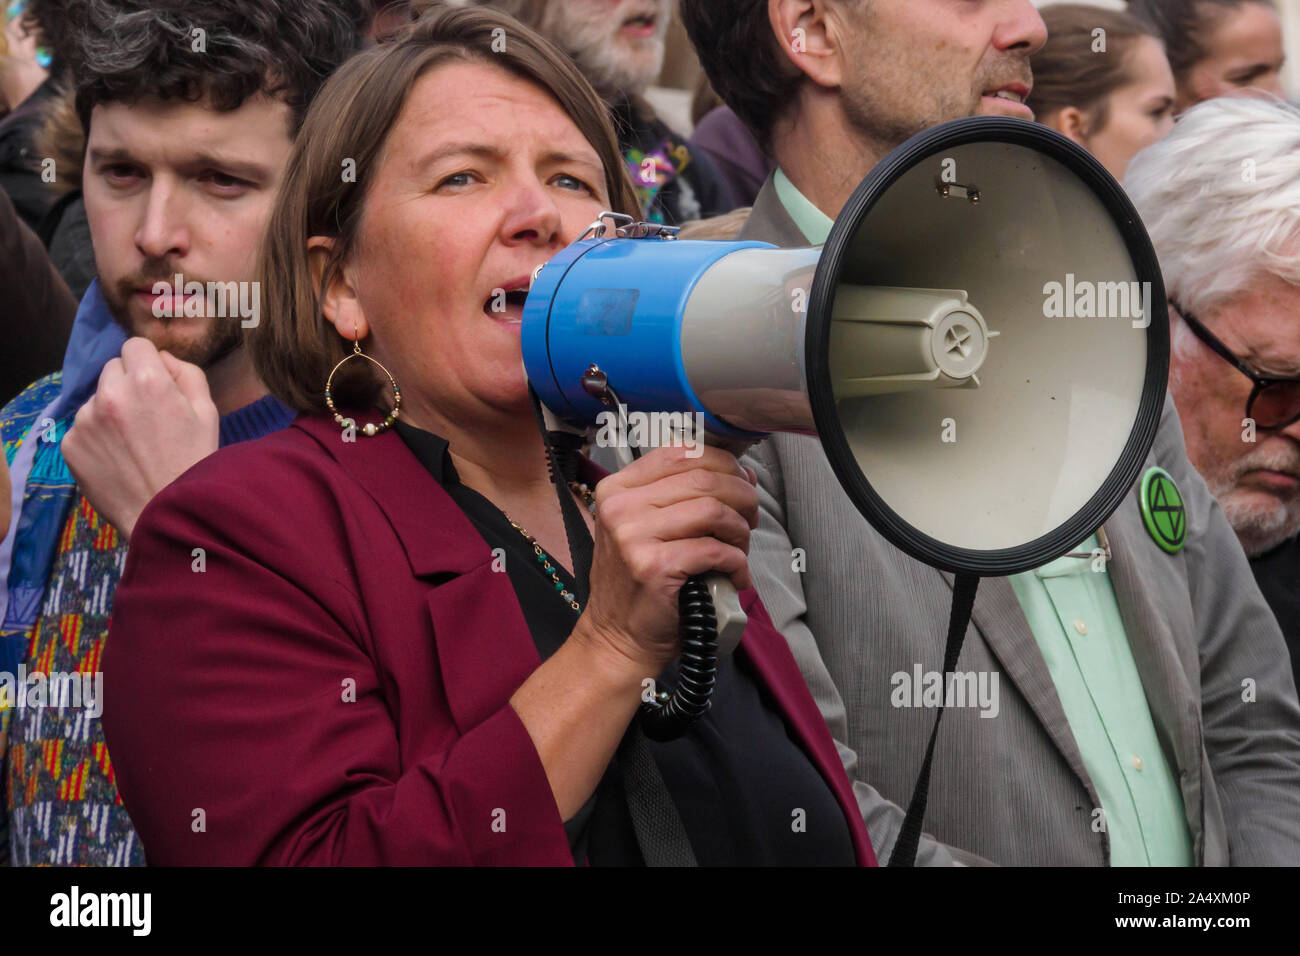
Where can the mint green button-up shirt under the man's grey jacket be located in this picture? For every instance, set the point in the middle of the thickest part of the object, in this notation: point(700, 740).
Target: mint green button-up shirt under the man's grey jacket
point(1072, 609)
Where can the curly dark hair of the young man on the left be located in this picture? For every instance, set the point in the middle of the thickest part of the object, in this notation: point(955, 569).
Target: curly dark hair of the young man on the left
point(123, 51)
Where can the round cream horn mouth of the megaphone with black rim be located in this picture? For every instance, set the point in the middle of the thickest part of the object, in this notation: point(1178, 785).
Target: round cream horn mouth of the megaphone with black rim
point(1008, 474)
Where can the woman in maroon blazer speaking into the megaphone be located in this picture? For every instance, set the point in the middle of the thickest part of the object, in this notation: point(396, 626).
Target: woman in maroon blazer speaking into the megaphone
point(363, 641)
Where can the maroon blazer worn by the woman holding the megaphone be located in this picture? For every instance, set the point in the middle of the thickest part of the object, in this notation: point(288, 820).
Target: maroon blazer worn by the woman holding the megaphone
point(311, 661)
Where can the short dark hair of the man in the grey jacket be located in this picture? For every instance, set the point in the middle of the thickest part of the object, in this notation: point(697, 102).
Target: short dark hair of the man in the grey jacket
point(746, 66)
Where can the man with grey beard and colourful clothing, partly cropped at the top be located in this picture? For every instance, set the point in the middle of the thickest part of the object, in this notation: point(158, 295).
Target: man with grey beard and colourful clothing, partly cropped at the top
point(619, 46)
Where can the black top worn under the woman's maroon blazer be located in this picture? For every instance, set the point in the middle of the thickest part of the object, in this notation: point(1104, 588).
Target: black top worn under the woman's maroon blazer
point(746, 791)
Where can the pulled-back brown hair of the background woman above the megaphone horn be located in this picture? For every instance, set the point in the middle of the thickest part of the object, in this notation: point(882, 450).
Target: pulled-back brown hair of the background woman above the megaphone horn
point(1071, 72)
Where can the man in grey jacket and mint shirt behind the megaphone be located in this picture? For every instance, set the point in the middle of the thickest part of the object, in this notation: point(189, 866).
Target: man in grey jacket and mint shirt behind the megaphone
point(1125, 734)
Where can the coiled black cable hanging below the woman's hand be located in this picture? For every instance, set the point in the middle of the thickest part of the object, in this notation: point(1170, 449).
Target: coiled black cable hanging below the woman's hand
point(671, 715)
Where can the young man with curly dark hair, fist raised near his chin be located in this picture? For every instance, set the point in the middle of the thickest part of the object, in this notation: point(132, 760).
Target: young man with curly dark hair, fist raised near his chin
point(190, 113)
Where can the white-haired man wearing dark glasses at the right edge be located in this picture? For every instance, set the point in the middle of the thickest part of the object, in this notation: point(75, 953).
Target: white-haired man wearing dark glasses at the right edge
point(1221, 198)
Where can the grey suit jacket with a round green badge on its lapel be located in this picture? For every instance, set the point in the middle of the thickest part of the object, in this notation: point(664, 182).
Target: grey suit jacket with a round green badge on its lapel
point(1013, 789)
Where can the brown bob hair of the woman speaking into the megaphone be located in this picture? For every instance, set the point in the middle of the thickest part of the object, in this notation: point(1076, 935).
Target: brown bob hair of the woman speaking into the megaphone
point(332, 166)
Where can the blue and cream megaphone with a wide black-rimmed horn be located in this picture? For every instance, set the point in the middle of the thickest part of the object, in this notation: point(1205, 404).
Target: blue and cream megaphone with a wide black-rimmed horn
point(982, 344)
